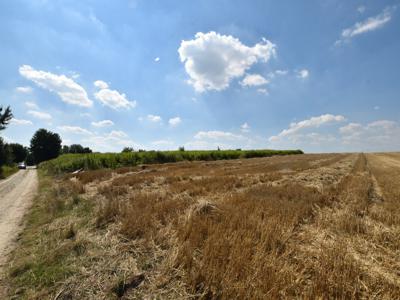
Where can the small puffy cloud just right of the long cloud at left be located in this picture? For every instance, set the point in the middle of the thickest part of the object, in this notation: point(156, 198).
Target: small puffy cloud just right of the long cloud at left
point(112, 98)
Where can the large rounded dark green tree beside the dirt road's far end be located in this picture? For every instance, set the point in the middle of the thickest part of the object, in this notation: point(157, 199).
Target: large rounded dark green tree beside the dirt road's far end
point(45, 145)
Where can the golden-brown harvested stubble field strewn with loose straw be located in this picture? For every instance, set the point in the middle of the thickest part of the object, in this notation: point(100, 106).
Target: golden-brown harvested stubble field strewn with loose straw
point(303, 226)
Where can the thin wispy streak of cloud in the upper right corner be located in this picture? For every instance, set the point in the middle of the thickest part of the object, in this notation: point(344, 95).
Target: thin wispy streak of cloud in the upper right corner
point(368, 25)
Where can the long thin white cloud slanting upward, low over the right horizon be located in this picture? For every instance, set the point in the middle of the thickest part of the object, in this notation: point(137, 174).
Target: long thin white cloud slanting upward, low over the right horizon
point(314, 122)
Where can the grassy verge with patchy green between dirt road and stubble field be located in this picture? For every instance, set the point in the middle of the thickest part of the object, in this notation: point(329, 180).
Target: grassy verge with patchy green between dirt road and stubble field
point(49, 246)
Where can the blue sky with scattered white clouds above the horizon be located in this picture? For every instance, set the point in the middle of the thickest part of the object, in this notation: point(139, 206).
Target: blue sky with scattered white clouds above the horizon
point(321, 76)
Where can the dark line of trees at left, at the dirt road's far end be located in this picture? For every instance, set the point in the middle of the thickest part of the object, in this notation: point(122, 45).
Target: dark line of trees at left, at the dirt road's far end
point(44, 145)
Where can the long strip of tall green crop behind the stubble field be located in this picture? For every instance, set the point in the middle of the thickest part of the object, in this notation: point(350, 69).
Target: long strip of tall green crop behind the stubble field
point(93, 161)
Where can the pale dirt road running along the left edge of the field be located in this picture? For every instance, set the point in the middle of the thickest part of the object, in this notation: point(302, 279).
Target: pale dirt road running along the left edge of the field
point(16, 194)
